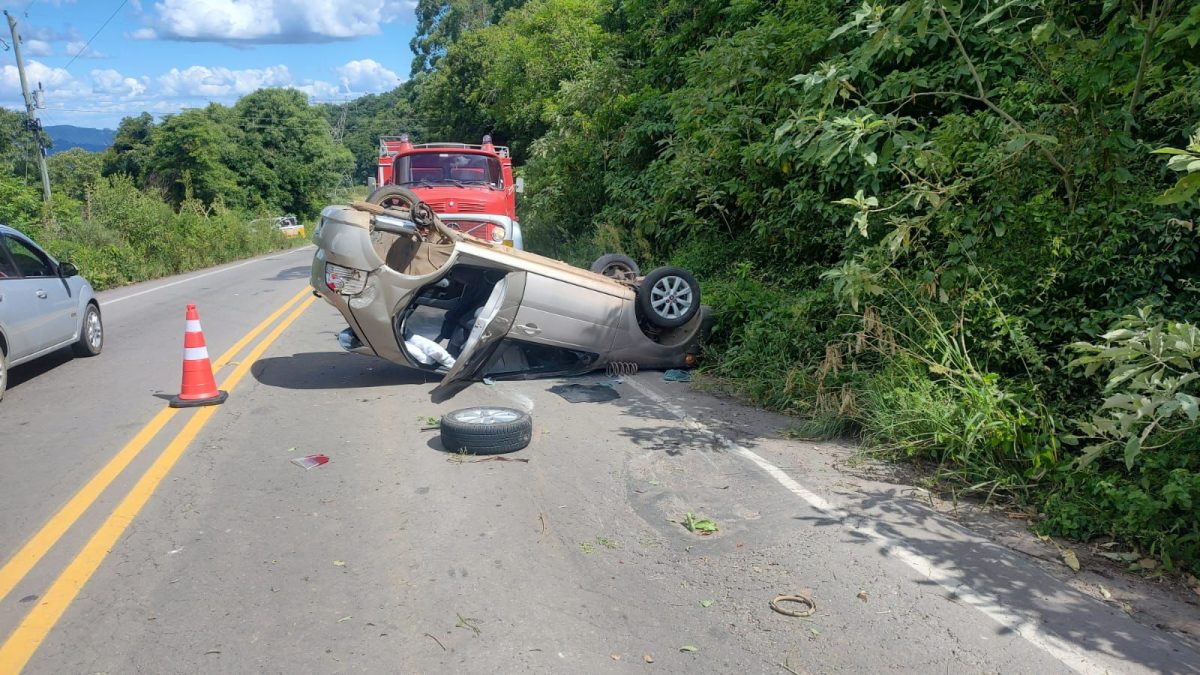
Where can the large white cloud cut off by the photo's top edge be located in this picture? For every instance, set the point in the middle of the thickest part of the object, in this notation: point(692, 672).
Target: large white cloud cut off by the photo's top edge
point(272, 21)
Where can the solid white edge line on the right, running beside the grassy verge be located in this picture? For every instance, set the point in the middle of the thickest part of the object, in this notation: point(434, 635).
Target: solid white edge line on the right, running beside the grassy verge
point(1059, 649)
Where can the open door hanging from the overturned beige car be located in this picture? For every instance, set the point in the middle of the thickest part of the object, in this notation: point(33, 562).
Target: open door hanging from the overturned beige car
point(494, 324)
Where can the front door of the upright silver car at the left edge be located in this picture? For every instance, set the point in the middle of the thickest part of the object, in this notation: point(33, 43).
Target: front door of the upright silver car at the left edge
point(41, 304)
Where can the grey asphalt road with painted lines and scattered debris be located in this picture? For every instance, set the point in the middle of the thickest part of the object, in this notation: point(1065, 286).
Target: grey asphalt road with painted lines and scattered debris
point(203, 548)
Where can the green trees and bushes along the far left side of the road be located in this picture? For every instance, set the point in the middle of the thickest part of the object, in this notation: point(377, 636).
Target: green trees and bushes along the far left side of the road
point(195, 190)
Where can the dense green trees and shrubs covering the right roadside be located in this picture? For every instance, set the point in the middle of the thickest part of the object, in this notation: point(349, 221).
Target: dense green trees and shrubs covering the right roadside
point(965, 232)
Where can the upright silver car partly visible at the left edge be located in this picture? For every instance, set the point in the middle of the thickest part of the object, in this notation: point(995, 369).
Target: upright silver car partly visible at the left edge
point(45, 306)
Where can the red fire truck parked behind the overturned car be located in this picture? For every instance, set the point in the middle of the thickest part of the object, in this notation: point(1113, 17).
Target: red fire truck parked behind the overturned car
point(470, 187)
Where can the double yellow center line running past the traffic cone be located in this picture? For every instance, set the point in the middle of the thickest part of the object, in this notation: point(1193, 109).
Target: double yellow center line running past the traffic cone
point(26, 640)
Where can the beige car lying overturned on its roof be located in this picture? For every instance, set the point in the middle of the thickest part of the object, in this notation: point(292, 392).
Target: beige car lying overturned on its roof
point(428, 297)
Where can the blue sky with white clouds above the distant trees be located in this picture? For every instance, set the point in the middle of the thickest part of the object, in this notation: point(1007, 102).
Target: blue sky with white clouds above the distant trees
point(163, 57)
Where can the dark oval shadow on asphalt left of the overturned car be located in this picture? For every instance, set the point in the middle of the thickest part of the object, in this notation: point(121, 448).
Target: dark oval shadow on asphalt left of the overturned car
point(334, 371)
